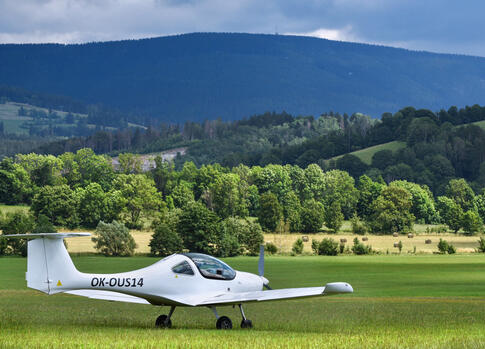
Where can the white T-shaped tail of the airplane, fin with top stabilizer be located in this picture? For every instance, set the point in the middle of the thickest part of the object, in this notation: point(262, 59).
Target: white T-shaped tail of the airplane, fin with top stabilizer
point(48, 262)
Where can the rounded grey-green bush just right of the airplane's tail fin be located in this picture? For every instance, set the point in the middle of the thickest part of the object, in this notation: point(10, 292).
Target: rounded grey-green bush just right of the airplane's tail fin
point(113, 239)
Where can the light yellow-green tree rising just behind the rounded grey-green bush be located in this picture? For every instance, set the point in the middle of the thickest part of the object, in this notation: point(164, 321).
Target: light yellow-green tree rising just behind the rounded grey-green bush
point(140, 195)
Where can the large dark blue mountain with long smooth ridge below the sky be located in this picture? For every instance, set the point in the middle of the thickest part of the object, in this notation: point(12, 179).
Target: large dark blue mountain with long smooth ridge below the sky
point(210, 75)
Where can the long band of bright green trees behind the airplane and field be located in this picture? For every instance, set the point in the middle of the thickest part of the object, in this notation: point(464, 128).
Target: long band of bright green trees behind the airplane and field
point(222, 210)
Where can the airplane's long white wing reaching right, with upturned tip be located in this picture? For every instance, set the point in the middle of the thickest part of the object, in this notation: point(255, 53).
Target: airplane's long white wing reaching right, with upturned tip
point(271, 295)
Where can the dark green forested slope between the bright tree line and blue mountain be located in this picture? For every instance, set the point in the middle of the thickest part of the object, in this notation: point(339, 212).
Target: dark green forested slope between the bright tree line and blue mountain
point(437, 146)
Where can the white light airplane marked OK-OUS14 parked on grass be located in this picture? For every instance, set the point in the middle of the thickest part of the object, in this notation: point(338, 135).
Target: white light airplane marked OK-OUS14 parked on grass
point(179, 280)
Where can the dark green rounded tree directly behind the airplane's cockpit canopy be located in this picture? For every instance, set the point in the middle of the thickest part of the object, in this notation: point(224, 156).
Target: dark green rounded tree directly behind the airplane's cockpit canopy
point(198, 228)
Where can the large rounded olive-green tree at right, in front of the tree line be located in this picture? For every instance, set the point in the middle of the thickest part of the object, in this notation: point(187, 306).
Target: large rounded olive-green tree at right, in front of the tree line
point(392, 212)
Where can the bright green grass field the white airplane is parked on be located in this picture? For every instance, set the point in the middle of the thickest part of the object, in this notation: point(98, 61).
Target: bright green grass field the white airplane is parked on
point(399, 301)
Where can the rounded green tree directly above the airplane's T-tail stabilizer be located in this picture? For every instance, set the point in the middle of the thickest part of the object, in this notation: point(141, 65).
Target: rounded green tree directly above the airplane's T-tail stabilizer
point(58, 204)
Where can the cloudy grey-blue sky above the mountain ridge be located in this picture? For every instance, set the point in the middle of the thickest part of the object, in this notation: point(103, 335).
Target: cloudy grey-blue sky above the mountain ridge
point(448, 26)
